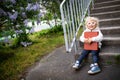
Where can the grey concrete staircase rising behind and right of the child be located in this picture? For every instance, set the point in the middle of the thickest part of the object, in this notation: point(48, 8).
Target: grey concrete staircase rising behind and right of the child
point(108, 11)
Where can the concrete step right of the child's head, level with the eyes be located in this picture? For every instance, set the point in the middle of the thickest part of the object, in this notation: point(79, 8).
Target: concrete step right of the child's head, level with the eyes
point(110, 22)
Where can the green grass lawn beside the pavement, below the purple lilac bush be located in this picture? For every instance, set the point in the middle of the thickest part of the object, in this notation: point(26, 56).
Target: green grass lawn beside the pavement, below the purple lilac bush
point(13, 62)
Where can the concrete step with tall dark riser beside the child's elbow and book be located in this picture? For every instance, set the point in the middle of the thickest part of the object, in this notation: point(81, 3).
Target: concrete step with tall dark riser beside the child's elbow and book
point(110, 45)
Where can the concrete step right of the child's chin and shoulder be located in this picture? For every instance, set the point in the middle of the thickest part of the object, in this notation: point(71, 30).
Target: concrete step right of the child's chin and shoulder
point(111, 30)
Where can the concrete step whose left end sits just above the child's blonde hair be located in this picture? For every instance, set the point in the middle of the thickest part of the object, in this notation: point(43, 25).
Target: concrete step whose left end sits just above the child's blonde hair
point(106, 9)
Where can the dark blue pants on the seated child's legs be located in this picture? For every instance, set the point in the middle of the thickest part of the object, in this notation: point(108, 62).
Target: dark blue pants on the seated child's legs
point(95, 55)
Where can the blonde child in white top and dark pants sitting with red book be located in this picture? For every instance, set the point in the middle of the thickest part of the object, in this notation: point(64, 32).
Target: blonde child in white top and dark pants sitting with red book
point(92, 25)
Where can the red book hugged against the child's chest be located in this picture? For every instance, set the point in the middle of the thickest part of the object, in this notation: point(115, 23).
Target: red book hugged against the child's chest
point(93, 45)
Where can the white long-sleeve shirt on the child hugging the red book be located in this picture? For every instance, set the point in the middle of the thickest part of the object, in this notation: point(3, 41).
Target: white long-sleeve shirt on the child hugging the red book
point(98, 38)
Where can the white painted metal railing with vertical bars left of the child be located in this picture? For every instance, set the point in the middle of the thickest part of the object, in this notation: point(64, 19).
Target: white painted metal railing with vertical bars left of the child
point(73, 13)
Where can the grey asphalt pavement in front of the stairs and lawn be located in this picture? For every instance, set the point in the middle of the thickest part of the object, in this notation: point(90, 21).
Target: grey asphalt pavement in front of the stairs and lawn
point(58, 66)
